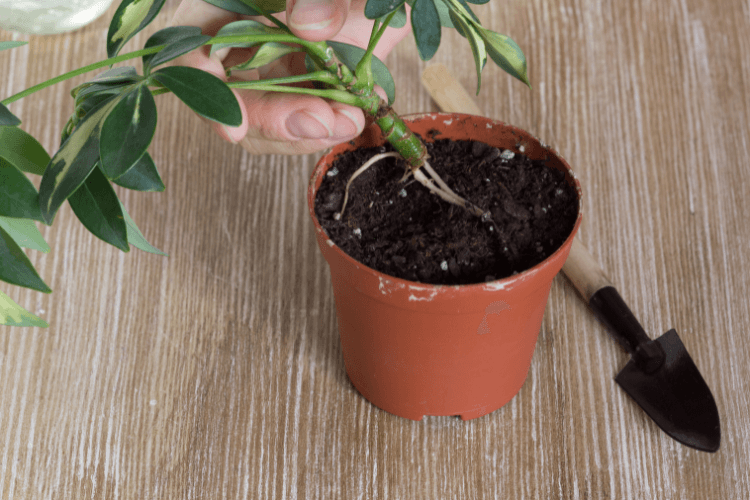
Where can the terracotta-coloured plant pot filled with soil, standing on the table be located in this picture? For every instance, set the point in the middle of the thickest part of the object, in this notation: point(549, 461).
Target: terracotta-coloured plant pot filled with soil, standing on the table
point(416, 349)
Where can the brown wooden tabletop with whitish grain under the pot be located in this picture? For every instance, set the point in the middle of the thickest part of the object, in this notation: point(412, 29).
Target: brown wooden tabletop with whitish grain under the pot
point(217, 372)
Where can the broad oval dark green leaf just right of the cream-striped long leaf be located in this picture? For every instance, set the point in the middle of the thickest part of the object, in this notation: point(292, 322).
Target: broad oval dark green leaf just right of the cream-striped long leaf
point(127, 131)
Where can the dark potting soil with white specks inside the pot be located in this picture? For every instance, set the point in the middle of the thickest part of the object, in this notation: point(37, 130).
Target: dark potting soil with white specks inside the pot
point(401, 229)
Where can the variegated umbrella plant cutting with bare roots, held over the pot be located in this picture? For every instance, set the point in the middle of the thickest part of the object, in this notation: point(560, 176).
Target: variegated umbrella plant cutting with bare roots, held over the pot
point(106, 138)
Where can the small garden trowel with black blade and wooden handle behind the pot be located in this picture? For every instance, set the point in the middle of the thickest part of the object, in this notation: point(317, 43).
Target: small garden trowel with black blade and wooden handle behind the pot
point(660, 376)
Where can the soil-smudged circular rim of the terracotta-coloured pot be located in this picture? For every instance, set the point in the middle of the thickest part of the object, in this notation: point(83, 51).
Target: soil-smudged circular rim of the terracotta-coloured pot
point(499, 284)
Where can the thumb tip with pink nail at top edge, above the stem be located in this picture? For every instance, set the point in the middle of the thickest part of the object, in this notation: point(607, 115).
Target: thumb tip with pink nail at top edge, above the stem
point(316, 20)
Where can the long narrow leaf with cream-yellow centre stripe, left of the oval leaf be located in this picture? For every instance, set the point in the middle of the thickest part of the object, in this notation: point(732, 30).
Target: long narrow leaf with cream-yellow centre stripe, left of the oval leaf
point(73, 162)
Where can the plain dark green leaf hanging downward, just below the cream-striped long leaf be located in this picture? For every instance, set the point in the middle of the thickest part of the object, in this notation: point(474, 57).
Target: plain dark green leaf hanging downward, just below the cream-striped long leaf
point(97, 207)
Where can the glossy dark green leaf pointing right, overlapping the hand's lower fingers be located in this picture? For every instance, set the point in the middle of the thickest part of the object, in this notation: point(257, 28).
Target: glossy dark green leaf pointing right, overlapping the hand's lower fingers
point(204, 93)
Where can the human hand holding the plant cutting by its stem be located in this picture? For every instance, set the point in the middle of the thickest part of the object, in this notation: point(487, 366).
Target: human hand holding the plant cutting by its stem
point(287, 123)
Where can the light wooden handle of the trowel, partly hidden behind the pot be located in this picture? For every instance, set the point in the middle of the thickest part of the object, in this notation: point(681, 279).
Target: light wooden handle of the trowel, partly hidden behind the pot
point(452, 97)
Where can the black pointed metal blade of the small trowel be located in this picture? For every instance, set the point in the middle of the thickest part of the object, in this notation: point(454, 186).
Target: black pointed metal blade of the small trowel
point(675, 396)
